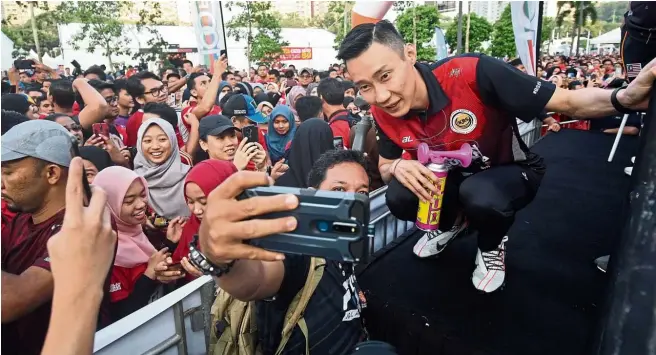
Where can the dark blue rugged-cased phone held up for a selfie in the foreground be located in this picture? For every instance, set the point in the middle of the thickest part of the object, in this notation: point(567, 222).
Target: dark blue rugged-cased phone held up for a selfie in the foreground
point(331, 224)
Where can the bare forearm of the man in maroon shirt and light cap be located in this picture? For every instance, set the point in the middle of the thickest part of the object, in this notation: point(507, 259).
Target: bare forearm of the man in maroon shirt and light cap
point(21, 294)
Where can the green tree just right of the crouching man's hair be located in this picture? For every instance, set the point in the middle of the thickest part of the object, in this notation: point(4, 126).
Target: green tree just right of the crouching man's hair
point(427, 18)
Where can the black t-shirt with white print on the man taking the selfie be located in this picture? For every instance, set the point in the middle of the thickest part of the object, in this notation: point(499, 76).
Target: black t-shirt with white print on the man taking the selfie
point(332, 315)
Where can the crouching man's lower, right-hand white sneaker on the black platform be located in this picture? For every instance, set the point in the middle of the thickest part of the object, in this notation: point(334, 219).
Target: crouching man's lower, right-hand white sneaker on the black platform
point(490, 271)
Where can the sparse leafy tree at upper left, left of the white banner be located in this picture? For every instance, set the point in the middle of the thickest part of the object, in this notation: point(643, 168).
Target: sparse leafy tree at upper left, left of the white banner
point(102, 28)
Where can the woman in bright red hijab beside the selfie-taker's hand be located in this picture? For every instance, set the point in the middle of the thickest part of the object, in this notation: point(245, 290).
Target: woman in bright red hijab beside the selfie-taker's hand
point(201, 180)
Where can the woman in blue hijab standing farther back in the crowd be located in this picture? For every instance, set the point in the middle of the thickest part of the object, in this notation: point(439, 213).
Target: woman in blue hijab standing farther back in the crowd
point(282, 127)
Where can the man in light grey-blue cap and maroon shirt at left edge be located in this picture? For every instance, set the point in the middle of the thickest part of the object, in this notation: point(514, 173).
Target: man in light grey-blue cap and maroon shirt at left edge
point(35, 159)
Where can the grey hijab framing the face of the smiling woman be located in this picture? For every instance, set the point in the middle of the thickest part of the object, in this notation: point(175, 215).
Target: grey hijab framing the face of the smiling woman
point(165, 181)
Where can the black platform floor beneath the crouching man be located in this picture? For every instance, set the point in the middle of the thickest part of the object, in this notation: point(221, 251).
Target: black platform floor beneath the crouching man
point(550, 303)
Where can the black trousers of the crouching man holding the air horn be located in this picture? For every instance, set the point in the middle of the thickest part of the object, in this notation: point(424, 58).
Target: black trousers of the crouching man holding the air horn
point(489, 200)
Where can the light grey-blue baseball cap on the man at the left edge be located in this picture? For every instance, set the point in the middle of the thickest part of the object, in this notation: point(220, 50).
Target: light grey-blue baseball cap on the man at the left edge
point(40, 139)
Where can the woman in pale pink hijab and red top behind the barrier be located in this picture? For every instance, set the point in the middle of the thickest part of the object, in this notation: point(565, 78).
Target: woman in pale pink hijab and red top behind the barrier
point(134, 278)
